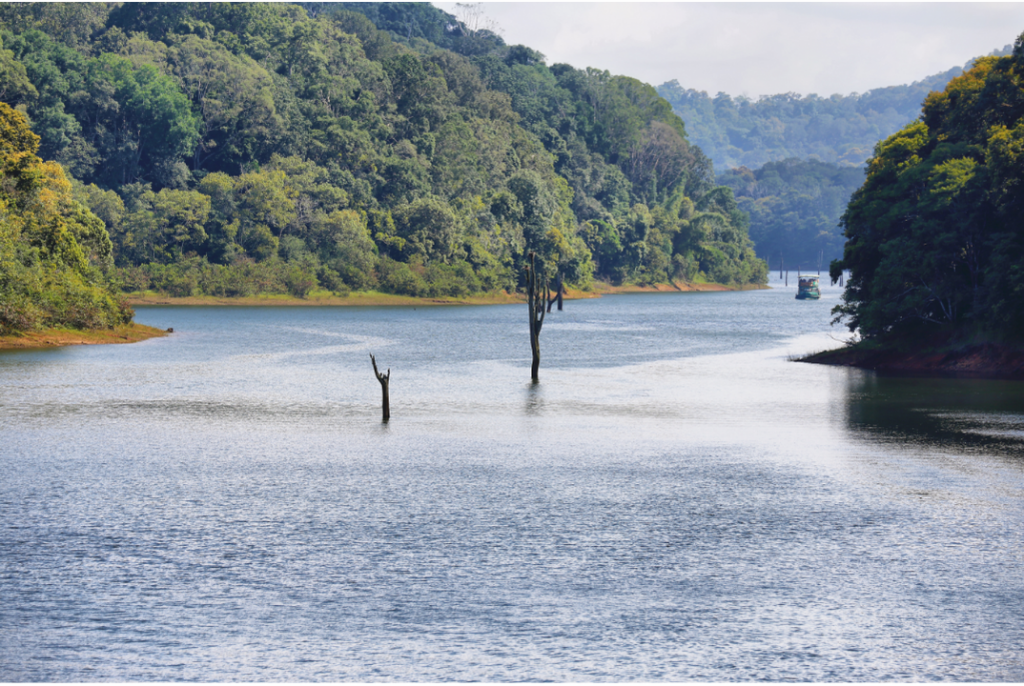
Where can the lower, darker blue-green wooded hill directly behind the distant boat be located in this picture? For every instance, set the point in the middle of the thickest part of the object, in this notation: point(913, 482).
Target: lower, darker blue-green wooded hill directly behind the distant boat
point(795, 207)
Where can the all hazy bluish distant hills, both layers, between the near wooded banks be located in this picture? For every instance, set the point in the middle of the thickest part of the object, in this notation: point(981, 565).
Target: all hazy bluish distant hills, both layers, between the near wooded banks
point(794, 161)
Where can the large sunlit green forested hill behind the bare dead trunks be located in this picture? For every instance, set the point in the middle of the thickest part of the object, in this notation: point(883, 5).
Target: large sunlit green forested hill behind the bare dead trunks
point(243, 149)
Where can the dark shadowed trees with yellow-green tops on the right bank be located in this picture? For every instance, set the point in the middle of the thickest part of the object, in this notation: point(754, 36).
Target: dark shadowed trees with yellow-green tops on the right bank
point(934, 238)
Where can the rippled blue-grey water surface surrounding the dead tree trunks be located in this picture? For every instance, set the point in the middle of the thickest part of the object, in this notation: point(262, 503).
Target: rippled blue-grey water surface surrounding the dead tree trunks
point(675, 500)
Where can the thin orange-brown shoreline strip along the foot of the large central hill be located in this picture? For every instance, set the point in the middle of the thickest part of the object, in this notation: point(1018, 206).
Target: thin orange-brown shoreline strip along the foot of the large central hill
point(375, 299)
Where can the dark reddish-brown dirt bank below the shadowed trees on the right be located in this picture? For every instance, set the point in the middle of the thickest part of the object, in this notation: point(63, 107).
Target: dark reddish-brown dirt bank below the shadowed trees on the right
point(984, 361)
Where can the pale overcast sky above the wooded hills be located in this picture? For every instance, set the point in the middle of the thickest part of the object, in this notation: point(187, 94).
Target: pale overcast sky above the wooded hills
point(758, 50)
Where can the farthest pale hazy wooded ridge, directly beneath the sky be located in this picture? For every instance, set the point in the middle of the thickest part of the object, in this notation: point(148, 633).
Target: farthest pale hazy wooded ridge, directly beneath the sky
point(840, 130)
